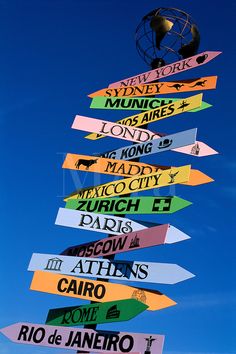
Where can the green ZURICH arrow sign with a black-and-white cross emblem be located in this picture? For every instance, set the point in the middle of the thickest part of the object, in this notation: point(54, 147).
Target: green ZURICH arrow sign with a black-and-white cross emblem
point(130, 205)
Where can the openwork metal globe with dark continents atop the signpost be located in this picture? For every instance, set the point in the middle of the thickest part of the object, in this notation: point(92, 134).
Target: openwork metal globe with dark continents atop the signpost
point(166, 35)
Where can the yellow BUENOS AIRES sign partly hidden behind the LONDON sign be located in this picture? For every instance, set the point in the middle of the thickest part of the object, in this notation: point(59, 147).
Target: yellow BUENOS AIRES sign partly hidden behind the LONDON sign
point(157, 114)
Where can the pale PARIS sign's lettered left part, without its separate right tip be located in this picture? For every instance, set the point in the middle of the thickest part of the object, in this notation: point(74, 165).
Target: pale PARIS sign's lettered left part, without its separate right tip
point(96, 222)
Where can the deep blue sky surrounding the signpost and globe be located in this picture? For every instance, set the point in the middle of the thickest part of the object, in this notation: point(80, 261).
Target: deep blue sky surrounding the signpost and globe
point(54, 53)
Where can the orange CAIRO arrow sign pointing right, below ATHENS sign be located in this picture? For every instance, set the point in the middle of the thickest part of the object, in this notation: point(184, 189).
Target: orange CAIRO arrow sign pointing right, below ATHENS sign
point(93, 290)
